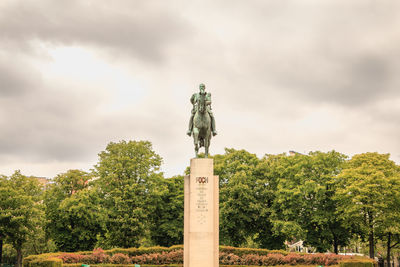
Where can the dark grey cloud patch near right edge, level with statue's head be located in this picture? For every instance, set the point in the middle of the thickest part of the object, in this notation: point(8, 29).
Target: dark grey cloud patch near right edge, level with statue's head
point(350, 82)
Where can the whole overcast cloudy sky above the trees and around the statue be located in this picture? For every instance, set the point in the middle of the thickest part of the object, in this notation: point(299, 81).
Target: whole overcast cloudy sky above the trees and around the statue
point(284, 75)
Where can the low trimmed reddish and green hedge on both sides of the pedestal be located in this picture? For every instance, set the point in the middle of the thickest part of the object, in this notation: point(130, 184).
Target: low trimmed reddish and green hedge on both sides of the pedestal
point(160, 256)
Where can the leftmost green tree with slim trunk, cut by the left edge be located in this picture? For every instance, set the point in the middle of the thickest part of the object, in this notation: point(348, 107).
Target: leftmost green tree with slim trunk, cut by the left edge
point(21, 212)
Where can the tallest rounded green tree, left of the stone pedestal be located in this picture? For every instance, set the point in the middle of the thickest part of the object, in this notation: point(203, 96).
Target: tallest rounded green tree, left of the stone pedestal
point(128, 178)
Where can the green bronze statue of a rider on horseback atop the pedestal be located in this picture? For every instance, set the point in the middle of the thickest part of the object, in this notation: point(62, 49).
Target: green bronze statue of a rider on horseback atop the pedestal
point(202, 122)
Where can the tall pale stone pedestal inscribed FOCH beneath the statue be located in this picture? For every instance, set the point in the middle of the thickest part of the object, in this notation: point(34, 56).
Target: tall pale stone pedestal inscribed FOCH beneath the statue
point(201, 218)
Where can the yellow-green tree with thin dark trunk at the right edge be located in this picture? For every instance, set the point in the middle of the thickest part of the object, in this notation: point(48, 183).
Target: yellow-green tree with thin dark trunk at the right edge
point(369, 195)
